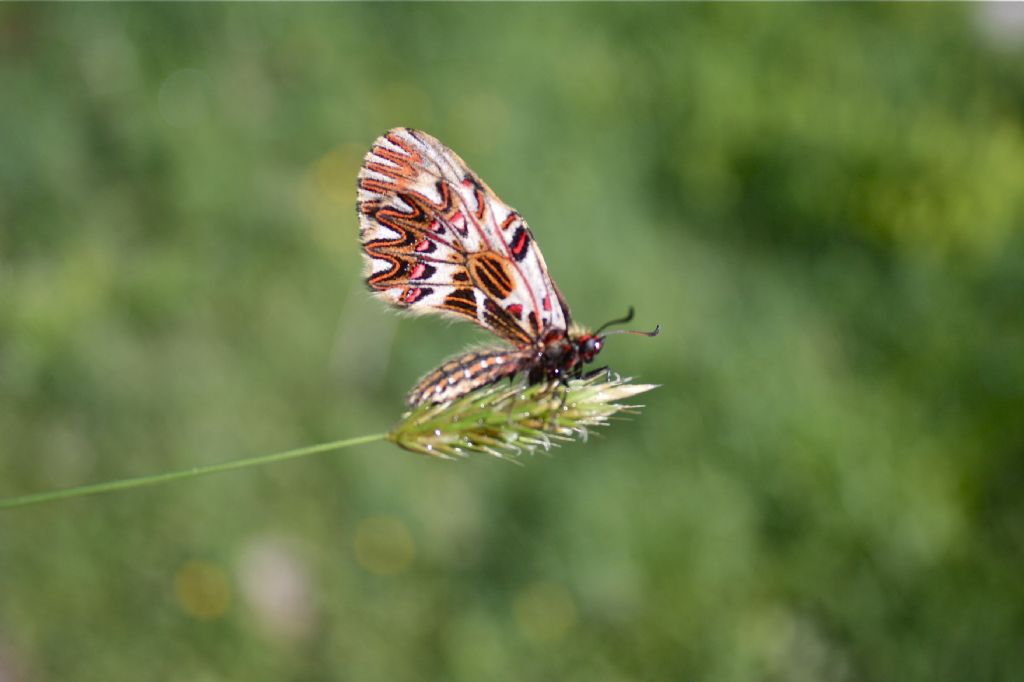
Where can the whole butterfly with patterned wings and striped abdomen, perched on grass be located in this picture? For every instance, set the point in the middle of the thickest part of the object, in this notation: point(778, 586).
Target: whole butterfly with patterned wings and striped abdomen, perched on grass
point(438, 240)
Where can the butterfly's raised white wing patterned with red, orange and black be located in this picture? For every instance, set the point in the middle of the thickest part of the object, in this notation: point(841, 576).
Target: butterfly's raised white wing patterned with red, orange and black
point(439, 240)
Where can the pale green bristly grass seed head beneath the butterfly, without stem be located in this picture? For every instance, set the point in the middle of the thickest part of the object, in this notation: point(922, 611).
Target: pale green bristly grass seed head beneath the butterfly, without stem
point(505, 421)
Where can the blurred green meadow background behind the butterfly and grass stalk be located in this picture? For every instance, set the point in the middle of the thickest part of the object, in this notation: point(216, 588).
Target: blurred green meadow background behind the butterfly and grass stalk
point(822, 205)
